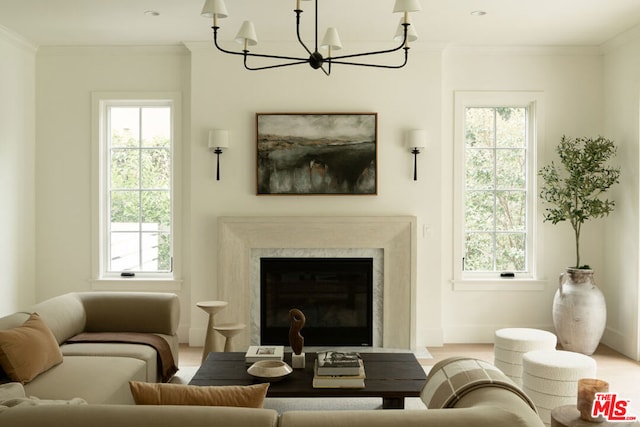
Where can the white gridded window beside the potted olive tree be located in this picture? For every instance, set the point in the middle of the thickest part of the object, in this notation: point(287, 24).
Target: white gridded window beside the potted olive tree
point(495, 174)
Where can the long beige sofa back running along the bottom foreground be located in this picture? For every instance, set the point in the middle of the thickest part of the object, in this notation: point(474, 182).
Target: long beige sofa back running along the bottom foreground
point(487, 406)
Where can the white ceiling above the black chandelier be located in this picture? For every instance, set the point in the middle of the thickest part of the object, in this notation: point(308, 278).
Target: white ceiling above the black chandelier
point(506, 23)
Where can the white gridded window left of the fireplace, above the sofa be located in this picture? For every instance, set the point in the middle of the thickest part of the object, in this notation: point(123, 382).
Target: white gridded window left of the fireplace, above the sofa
point(137, 179)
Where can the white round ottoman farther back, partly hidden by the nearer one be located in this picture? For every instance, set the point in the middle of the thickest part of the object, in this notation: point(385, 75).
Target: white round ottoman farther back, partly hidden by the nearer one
point(512, 343)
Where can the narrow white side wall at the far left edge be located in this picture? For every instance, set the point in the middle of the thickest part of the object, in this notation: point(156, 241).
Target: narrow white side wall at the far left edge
point(17, 149)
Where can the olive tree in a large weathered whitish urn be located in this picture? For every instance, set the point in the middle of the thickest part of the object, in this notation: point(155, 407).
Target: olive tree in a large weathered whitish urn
point(575, 192)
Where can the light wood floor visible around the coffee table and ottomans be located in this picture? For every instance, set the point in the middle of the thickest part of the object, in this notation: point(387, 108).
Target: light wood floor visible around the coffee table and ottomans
point(622, 373)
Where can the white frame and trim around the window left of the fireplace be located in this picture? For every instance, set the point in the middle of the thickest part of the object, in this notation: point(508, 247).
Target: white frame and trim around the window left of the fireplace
point(101, 101)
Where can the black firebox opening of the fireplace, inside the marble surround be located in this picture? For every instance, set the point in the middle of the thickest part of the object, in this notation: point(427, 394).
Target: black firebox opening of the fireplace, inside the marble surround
point(335, 294)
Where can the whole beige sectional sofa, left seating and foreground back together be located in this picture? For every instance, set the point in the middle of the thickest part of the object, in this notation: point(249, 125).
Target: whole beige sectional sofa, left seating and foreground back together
point(482, 396)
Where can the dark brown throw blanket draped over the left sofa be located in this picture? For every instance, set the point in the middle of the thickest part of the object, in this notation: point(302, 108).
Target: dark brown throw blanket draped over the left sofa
point(165, 357)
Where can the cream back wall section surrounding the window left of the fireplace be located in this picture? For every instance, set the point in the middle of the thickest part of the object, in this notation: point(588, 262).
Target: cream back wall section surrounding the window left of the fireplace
point(66, 78)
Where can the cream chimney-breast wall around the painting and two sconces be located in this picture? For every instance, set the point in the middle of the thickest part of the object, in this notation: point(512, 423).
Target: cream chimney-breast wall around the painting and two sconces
point(226, 96)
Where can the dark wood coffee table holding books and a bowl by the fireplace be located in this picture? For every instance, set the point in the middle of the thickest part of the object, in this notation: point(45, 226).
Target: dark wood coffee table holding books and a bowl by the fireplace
point(391, 376)
